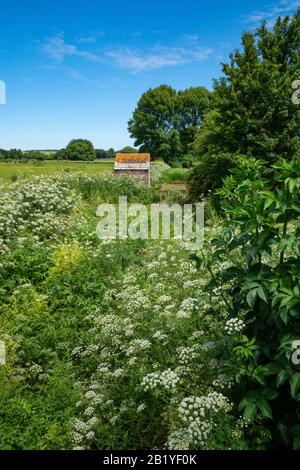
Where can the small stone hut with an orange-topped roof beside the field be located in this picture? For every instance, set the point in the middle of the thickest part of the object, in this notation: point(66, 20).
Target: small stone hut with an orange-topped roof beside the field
point(135, 165)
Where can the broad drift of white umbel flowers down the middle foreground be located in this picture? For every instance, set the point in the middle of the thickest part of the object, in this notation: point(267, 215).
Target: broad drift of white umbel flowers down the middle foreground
point(138, 315)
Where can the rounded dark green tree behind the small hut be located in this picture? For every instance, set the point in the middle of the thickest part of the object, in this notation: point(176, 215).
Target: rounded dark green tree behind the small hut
point(165, 121)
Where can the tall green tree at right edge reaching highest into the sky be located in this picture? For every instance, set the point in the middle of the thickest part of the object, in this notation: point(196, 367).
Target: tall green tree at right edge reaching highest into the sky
point(253, 111)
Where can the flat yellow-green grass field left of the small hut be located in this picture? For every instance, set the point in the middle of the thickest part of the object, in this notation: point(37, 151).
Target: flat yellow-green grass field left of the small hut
point(9, 171)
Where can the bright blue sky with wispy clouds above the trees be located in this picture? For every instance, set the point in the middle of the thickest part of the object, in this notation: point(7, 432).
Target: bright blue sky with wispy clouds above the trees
point(76, 68)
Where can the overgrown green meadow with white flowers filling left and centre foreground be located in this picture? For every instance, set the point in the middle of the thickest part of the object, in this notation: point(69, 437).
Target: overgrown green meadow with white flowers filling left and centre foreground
point(107, 341)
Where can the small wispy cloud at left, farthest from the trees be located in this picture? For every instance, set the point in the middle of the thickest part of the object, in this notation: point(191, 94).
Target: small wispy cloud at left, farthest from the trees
point(57, 49)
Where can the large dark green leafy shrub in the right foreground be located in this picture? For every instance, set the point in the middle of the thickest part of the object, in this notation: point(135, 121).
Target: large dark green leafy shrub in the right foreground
point(261, 235)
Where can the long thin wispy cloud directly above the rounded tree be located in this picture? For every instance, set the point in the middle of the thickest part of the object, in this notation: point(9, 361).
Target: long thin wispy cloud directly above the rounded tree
point(157, 57)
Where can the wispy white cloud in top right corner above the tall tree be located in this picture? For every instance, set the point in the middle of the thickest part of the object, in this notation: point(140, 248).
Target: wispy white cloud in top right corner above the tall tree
point(271, 12)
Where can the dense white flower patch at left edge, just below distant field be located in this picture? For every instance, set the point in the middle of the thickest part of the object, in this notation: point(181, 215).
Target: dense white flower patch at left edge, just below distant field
point(34, 209)
